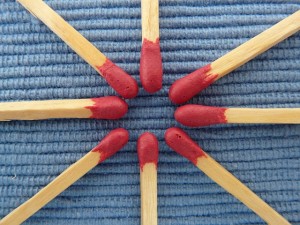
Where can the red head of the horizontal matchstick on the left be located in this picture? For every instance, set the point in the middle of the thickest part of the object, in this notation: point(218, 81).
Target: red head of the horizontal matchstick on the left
point(110, 107)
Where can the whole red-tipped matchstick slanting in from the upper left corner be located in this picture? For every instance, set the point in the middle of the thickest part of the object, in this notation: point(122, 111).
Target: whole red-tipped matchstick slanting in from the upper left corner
point(117, 78)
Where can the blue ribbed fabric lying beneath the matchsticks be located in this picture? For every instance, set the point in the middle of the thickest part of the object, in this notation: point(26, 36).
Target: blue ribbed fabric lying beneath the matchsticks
point(36, 64)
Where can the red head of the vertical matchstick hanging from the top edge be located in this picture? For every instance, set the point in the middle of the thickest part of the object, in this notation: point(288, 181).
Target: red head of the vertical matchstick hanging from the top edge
point(151, 70)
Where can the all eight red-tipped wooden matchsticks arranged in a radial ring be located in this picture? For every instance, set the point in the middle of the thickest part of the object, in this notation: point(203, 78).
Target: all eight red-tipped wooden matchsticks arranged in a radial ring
point(151, 74)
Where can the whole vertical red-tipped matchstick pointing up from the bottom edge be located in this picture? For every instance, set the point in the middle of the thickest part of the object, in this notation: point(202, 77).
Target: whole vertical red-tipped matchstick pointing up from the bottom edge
point(148, 156)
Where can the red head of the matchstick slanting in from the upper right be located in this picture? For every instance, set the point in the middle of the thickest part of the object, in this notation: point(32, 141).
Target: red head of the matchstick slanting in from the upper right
point(187, 87)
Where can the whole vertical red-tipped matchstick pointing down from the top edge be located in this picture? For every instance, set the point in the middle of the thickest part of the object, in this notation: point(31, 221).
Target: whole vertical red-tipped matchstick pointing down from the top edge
point(151, 62)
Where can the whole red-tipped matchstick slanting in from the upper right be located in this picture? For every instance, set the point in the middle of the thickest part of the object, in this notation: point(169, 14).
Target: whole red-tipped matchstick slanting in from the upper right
point(185, 88)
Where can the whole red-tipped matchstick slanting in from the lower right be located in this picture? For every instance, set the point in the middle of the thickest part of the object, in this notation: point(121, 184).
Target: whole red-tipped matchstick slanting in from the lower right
point(180, 142)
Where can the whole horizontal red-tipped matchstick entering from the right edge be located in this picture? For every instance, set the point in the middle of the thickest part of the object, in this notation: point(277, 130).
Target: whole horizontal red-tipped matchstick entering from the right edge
point(200, 115)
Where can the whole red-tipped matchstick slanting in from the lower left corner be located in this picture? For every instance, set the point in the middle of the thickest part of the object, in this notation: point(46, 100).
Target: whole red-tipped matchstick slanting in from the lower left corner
point(113, 142)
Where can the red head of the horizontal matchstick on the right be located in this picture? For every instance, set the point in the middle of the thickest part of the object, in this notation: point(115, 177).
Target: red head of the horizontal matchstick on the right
point(200, 115)
